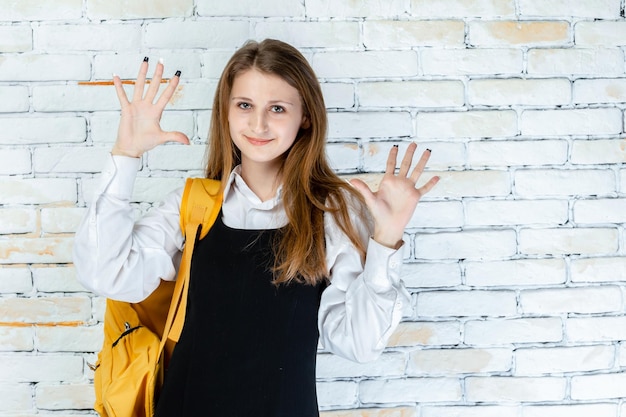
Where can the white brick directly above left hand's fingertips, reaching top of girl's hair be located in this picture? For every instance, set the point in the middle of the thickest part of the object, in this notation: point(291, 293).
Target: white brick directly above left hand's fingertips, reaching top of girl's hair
point(196, 34)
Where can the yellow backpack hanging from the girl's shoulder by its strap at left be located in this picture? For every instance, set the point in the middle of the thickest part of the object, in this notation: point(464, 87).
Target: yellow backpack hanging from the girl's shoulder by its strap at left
point(140, 337)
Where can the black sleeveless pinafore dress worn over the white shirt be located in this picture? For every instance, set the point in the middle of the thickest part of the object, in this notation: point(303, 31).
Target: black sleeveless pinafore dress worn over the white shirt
point(248, 347)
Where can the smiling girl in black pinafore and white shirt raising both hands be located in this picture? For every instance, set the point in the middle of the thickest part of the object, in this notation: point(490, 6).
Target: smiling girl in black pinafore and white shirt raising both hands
point(296, 253)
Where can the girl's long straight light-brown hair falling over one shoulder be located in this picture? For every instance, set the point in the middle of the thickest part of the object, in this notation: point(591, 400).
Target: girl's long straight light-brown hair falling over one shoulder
point(310, 187)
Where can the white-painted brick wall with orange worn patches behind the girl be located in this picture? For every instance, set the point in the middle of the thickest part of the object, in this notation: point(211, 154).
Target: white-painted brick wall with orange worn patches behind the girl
point(516, 260)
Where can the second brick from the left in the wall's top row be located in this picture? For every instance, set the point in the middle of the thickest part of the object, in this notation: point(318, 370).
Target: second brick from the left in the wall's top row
point(120, 9)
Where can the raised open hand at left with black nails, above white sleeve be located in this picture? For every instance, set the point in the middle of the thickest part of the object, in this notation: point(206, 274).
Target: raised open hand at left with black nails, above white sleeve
point(139, 129)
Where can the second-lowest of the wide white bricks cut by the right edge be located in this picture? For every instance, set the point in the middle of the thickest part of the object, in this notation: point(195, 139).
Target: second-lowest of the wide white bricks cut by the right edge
point(595, 329)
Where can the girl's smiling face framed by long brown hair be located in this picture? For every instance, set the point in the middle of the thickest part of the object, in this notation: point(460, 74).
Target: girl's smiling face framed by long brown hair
point(264, 116)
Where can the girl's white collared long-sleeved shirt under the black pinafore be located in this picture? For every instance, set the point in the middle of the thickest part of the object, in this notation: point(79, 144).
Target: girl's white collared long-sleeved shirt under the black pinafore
point(118, 257)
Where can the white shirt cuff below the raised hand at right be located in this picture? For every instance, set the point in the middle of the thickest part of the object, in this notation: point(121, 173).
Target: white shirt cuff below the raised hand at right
point(382, 266)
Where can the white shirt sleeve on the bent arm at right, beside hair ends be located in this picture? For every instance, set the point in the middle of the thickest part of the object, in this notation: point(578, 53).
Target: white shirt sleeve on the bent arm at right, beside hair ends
point(364, 302)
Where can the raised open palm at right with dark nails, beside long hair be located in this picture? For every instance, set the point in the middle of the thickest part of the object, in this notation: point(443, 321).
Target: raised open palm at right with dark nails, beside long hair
point(392, 206)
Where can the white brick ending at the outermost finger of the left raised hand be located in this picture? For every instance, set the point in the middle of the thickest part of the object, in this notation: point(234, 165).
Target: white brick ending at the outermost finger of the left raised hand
point(59, 98)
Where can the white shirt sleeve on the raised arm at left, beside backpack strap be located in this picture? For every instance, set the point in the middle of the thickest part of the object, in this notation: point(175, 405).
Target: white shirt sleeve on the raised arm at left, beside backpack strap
point(115, 256)
